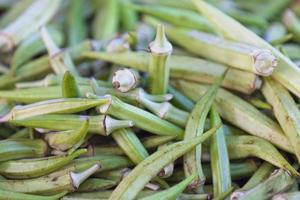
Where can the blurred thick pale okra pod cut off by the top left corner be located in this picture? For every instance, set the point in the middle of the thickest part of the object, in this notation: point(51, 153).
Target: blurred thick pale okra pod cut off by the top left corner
point(36, 15)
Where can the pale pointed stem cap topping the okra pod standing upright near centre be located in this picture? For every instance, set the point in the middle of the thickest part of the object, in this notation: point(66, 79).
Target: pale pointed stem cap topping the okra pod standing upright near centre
point(160, 45)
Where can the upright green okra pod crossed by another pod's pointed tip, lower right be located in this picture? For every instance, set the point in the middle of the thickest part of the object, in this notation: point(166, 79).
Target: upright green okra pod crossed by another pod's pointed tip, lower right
point(219, 157)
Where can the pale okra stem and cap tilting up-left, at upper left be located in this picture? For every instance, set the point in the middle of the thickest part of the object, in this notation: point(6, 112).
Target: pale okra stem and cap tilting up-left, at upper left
point(60, 61)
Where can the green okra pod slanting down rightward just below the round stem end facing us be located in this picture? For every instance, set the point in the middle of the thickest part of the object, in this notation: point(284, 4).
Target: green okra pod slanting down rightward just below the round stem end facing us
point(140, 118)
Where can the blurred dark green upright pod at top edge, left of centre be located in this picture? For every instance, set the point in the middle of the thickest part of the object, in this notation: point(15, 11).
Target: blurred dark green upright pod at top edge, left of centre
point(77, 29)
